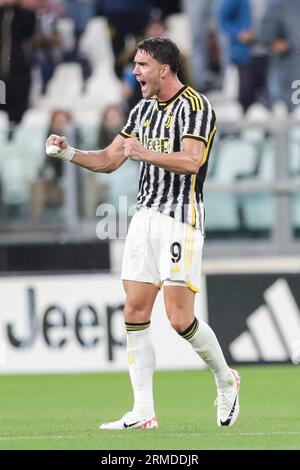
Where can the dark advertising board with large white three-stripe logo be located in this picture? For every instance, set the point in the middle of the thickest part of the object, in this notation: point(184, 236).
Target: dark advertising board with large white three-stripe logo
point(262, 317)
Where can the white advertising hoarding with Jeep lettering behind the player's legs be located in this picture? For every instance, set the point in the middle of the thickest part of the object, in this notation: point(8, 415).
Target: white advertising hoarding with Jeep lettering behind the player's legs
point(65, 323)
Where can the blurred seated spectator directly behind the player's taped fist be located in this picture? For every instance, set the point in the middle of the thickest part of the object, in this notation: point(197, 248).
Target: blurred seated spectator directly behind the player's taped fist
point(47, 191)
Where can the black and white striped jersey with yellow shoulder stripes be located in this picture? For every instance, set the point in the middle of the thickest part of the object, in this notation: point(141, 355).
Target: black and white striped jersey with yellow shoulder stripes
point(161, 126)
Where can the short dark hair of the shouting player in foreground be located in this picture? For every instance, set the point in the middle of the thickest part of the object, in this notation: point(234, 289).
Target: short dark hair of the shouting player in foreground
point(163, 50)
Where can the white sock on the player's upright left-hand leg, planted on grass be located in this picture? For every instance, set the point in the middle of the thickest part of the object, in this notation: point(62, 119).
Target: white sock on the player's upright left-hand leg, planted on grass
point(141, 363)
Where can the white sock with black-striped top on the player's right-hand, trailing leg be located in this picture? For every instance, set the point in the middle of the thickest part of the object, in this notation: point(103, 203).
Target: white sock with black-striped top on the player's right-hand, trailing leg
point(204, 341)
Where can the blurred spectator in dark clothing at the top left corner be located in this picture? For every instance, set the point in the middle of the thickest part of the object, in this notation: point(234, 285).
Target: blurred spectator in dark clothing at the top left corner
point(17, 29)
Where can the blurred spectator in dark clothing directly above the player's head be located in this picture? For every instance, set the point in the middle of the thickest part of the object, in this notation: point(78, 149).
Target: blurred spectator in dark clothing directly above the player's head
point(126, 18)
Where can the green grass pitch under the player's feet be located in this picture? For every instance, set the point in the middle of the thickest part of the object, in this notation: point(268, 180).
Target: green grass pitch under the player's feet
point(64, 411)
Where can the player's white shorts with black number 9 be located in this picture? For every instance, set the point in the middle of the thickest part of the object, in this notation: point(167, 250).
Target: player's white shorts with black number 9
point(159, 249)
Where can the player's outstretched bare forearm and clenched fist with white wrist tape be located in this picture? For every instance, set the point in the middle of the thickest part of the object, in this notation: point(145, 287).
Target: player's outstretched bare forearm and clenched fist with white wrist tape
point(100, 161)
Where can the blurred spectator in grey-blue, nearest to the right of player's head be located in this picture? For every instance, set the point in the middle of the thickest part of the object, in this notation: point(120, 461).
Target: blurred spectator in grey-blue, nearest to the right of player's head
point(206, 53)
